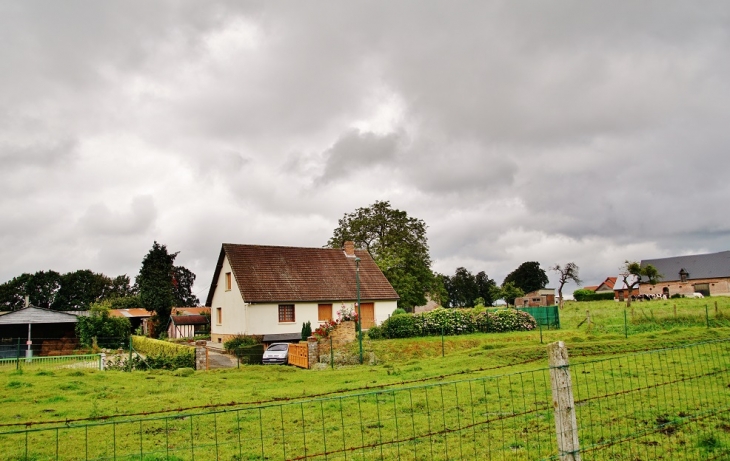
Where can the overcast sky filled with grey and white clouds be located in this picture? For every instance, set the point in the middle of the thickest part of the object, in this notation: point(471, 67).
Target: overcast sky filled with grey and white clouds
point(592, 132)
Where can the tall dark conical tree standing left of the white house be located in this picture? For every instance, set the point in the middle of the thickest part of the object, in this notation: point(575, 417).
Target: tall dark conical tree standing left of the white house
point(163, 285)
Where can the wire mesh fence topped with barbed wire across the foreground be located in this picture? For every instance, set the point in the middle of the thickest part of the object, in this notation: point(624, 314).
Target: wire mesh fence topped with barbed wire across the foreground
point(665, 404)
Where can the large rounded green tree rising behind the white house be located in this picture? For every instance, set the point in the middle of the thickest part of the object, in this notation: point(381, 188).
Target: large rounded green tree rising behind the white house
point(397, 243)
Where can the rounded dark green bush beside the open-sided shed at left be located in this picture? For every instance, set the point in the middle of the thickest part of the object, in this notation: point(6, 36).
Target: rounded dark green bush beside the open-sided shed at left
point(107, 330)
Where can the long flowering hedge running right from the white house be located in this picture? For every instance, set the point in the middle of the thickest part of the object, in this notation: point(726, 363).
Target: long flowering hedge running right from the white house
point(453, 322)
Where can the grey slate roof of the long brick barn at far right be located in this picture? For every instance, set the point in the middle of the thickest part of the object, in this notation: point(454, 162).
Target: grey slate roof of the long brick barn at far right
point(703, 266)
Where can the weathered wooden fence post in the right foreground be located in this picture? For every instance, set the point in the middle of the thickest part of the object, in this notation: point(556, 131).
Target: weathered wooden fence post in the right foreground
point(566, 425)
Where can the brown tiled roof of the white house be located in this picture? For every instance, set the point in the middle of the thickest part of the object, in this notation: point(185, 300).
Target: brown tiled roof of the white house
point(279, 274)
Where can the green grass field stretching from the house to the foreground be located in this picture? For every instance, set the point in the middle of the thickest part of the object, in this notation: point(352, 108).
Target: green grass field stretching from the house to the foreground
point(479, 366)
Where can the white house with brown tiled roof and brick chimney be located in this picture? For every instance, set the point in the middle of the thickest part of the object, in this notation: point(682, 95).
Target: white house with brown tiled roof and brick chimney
point(272, 290)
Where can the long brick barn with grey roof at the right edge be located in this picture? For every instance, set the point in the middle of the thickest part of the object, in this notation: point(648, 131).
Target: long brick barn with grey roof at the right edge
point(708, 274)
